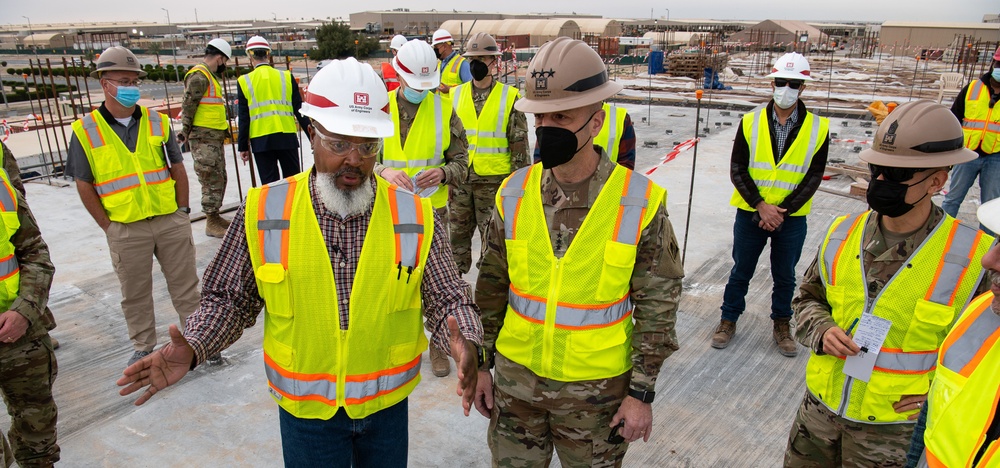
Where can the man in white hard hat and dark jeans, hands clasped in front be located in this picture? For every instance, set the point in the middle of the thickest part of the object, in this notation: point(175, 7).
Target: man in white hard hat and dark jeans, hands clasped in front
point(777, 164)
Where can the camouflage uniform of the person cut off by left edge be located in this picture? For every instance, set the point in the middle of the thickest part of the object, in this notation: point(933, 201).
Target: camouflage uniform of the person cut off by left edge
point(28, 365)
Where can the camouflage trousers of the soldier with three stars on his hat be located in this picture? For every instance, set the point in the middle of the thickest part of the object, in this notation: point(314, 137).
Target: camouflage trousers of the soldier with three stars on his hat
point(531, 415)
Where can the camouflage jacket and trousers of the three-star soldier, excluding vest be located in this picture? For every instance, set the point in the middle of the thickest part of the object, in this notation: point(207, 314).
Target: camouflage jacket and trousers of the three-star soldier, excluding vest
point(578, 414)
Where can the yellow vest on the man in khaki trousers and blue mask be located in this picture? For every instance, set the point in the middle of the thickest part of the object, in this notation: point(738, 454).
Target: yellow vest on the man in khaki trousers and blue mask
point(132, 185)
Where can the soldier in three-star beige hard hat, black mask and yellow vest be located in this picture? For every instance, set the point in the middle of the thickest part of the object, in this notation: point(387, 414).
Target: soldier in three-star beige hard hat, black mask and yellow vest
point(532, 406)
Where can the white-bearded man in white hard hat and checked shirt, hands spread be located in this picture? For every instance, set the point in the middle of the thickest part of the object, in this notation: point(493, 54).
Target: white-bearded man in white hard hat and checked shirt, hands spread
point(342, 345)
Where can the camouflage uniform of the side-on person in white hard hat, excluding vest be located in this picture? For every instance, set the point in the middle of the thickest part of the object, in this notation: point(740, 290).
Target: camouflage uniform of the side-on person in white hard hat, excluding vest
point(206, 146)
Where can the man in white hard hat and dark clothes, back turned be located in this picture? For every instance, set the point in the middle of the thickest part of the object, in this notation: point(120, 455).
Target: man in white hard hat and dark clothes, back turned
point(269, 102)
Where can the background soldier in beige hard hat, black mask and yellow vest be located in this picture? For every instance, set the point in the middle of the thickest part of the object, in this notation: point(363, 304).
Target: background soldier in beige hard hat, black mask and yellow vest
point(493, 159)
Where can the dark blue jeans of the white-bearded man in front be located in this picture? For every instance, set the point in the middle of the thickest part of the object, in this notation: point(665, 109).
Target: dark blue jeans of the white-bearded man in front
point(380, 440)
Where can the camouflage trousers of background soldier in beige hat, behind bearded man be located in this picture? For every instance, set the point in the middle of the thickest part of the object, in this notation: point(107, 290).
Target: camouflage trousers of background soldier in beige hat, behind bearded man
point(471, 206)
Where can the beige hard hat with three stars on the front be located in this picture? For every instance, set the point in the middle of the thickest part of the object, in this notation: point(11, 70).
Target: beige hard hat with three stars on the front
point(565, 74)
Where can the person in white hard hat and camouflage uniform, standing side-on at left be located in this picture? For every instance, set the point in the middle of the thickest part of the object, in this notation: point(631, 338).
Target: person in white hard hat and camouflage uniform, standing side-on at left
point(203, 114)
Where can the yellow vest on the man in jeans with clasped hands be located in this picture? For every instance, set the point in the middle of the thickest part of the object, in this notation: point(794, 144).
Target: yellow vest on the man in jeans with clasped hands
point(775, 182)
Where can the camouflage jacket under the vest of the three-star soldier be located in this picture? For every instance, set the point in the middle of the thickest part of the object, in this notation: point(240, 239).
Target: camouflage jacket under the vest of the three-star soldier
point(656, 278)
